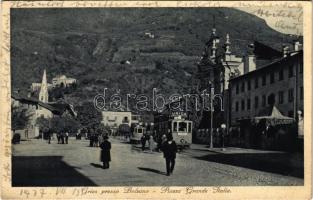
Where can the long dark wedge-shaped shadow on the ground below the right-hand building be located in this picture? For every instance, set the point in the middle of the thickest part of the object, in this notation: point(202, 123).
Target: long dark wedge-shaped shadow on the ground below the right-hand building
point(280, 163)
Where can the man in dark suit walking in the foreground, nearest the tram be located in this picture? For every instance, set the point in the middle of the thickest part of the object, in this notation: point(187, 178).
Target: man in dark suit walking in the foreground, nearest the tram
point(169, 149)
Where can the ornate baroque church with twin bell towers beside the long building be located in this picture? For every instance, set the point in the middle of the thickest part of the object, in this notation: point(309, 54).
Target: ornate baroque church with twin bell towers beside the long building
point(216, 66)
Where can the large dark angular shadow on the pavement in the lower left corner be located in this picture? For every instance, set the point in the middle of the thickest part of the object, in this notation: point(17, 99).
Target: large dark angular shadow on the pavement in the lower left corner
point(45, 171)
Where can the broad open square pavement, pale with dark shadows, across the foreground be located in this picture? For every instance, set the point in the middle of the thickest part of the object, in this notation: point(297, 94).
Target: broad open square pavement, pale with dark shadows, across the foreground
point(36, 163)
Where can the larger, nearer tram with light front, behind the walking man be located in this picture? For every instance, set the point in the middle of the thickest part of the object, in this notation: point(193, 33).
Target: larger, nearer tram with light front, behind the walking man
point(175, 124)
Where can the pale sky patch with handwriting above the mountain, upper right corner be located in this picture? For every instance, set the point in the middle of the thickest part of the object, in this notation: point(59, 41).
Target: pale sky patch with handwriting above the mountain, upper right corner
point(282, 19)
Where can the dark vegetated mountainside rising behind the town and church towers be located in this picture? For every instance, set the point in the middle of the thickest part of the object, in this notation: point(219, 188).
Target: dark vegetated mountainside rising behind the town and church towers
point(133, 50)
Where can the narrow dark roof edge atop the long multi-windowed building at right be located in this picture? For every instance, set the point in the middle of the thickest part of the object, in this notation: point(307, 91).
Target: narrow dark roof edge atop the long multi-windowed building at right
point(278, 61)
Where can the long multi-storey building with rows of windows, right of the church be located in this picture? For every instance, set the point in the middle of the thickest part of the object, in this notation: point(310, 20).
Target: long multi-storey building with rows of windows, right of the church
point(279, 84)
